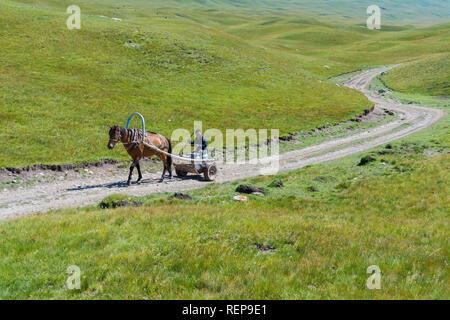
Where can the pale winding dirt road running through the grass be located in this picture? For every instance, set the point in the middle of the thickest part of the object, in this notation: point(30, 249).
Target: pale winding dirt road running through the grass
point(77, 191)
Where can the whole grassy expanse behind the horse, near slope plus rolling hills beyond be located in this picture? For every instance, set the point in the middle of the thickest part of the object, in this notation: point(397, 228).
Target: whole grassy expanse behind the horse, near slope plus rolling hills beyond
point(61, 89)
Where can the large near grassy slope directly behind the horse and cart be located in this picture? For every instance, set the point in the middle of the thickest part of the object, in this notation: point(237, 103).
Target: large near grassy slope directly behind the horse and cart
point(61, 89)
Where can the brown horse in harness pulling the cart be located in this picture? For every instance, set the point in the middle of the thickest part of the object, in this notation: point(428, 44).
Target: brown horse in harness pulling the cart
point(130, 139)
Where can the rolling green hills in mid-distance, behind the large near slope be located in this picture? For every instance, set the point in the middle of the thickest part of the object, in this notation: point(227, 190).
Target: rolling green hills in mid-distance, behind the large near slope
point(344, 47)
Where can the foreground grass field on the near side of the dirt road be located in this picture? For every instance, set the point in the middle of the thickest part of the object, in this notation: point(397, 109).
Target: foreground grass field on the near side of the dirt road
point(312, 239)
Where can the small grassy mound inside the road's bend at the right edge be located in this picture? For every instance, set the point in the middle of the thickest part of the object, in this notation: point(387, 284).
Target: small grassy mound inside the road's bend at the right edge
point(429, 76)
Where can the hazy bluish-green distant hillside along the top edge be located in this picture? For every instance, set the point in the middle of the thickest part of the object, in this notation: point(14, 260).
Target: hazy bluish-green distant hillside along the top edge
point(393, 11)
